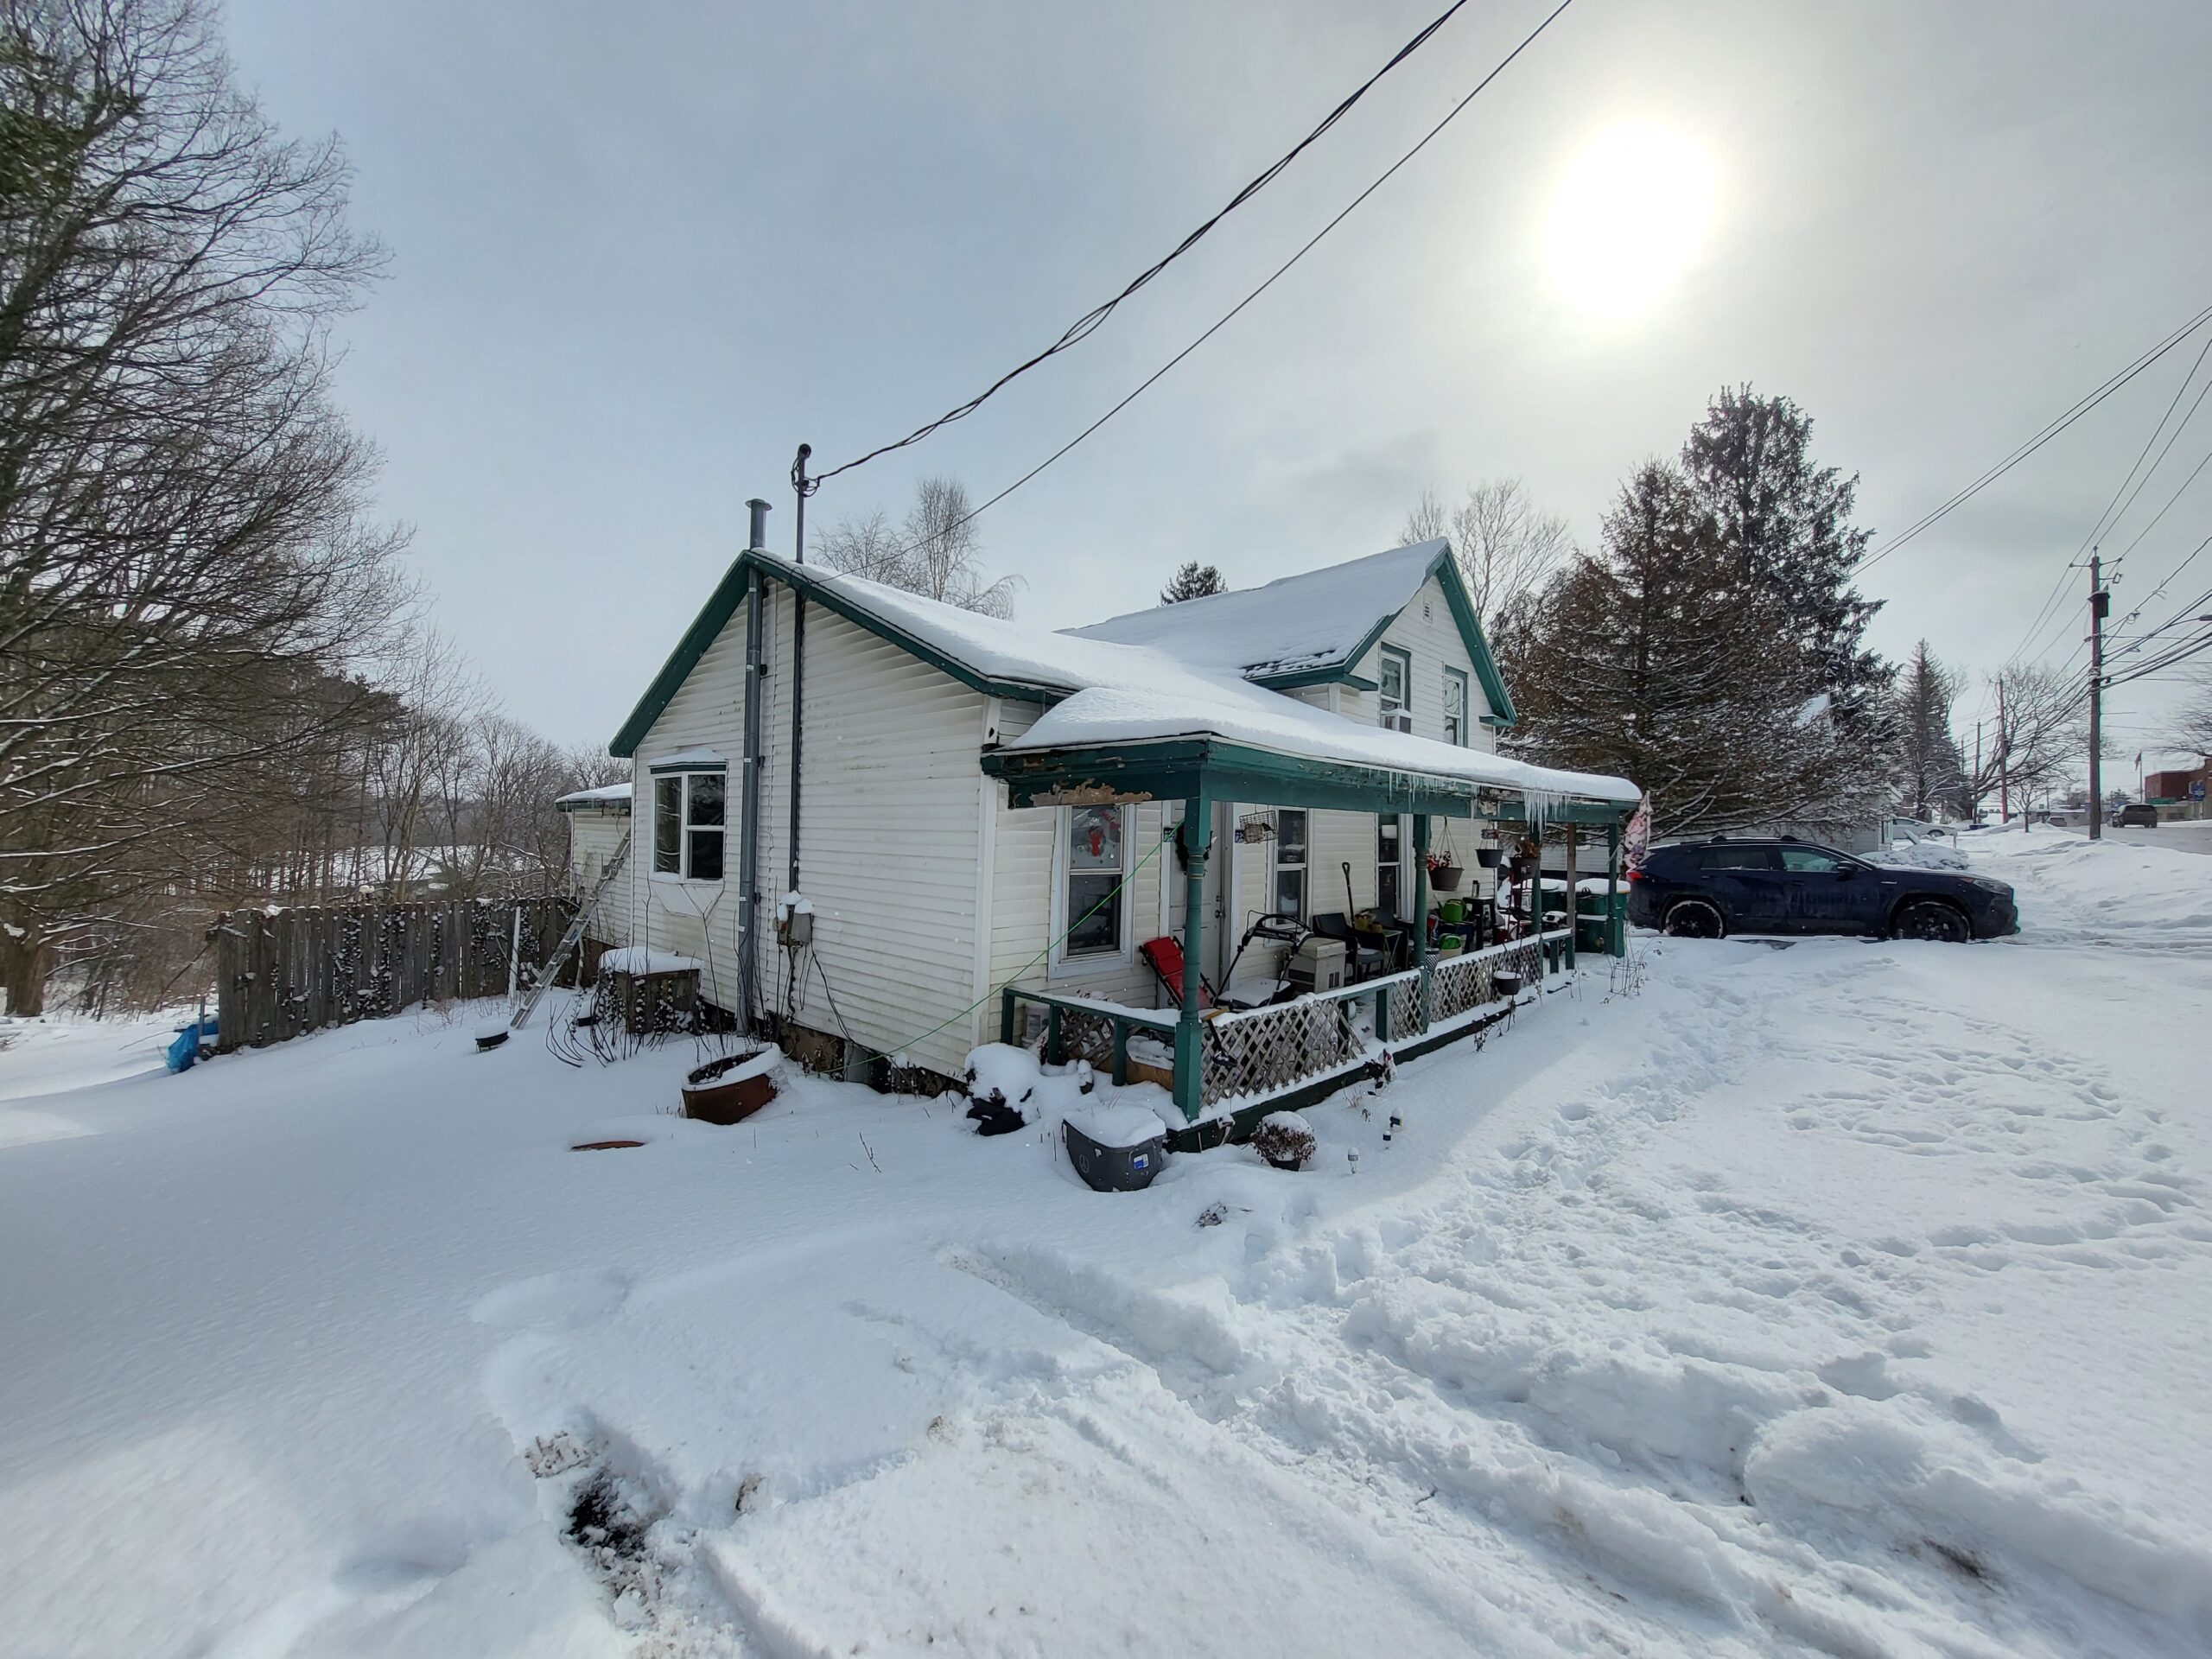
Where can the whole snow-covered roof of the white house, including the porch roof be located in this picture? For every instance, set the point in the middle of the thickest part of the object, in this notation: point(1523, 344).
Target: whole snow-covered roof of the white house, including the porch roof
point(1107, 691)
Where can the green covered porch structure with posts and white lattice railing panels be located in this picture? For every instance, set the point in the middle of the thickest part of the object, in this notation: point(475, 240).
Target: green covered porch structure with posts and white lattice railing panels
point(1233, 1065)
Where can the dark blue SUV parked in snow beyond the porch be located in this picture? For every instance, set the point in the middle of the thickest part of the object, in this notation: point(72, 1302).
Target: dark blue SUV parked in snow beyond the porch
point(1782, 886)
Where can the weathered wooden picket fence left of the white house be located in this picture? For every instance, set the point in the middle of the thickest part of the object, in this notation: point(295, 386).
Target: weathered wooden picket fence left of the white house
point(302, 970)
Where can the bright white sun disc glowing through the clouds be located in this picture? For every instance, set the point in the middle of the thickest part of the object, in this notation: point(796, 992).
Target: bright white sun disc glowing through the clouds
point(1629, 218)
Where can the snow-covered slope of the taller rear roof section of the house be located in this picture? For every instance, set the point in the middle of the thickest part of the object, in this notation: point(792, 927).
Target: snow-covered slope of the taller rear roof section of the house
point(1288, 627)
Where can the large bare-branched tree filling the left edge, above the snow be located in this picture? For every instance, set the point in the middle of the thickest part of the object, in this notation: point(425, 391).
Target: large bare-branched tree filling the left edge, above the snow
point(187, 565)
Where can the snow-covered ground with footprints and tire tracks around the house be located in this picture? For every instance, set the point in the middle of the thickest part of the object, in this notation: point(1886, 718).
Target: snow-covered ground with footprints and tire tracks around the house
point(1835, 1300)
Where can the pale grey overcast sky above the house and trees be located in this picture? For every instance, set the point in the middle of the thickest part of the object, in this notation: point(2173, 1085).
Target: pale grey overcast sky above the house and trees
point(638, 253)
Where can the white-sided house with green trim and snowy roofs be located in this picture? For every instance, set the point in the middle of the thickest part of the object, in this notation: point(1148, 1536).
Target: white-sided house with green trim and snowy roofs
point(985, 804)
